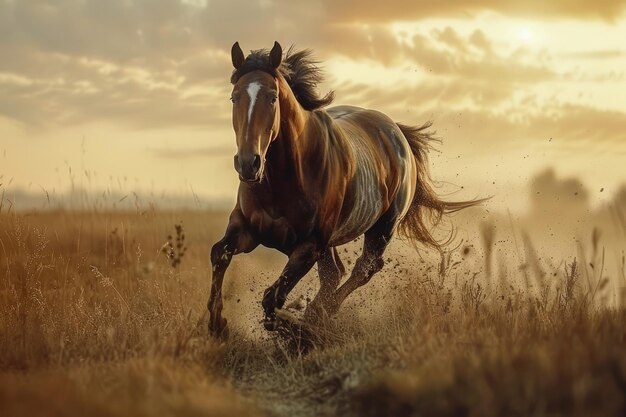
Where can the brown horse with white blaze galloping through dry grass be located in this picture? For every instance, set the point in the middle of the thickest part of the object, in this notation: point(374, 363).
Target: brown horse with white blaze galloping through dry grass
point(312, 179)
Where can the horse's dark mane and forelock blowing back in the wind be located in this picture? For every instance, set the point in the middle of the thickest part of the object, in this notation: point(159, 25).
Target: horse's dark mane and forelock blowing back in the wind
point(298, 68)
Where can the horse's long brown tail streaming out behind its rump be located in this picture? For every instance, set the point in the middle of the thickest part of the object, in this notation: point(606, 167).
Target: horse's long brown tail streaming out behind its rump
point(427, 209)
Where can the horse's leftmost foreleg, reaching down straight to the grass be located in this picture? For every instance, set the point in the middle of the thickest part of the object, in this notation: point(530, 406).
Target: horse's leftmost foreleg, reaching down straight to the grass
point(235, 240)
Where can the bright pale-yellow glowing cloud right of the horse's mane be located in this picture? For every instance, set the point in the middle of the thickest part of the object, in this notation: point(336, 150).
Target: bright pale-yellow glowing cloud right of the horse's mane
point(460, 71)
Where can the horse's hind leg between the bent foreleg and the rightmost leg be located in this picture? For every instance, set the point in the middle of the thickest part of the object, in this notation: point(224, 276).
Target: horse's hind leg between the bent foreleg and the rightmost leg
point(330, 270)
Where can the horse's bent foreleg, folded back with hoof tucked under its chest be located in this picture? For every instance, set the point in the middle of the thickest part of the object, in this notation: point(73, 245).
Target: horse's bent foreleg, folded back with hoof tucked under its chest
point(300, 262)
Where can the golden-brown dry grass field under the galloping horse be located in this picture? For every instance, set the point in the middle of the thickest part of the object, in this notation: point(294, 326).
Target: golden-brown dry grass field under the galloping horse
point(96, 320)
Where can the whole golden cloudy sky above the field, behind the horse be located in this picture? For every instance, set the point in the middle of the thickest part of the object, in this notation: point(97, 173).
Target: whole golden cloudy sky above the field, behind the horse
point(134, 94)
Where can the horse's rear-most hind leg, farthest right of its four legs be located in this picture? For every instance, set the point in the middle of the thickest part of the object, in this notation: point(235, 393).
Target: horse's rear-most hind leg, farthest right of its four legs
point(369, 263)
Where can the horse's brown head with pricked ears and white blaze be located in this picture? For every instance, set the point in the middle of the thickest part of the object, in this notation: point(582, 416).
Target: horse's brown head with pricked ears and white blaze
point(256, 113)
